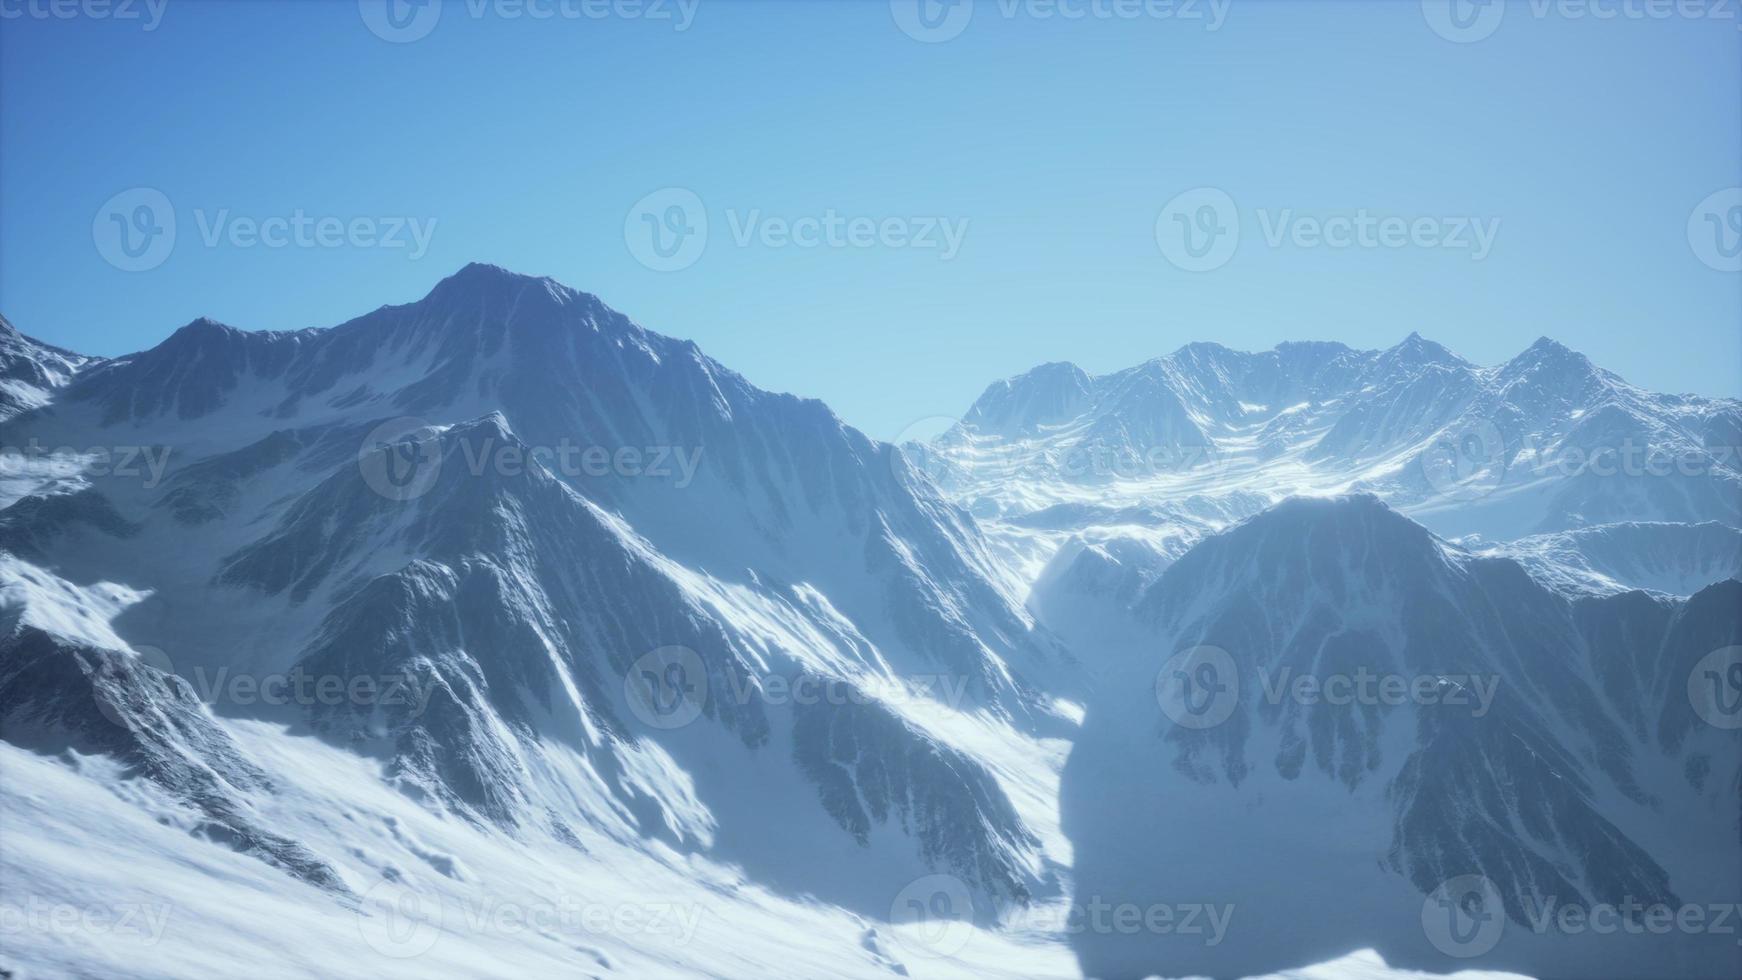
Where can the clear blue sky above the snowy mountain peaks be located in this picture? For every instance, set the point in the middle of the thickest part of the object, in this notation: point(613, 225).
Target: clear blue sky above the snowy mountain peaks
point(1058, 140)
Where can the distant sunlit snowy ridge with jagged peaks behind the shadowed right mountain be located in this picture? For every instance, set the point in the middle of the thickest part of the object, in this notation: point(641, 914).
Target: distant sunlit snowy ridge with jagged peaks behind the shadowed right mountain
point(1206, 436)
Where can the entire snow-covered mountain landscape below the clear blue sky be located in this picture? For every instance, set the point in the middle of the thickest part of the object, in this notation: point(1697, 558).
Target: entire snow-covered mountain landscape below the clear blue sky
point(503, 601)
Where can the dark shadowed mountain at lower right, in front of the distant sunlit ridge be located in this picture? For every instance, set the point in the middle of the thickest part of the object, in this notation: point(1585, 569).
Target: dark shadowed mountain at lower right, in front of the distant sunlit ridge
point(1325, 715)
